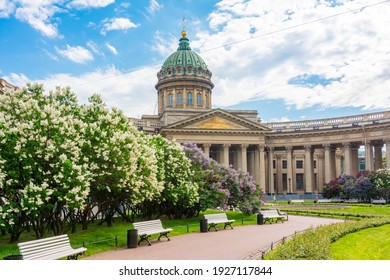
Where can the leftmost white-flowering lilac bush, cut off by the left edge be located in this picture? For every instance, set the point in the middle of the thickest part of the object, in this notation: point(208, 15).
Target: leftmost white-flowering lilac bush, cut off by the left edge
point(43, 174)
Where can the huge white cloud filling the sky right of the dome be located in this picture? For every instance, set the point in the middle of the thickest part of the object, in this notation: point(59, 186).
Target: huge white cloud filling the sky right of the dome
point(353, 46)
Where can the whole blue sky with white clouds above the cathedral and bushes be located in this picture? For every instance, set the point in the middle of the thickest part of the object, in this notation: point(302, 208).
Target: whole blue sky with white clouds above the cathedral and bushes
point(289, 60)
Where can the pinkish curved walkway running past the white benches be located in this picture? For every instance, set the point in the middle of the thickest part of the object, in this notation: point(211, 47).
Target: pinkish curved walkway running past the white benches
point(236, 244)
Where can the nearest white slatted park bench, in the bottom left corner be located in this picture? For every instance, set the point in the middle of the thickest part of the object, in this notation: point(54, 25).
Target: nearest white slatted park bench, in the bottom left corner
point(50, 248)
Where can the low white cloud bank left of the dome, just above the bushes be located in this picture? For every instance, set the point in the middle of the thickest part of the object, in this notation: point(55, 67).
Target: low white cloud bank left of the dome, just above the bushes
point(131, 92)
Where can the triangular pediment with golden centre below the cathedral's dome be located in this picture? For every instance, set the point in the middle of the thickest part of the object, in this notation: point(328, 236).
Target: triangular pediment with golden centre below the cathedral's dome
point(218, 120)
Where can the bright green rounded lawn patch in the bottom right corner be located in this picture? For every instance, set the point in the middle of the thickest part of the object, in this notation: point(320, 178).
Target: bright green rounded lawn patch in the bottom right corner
point(367, 244)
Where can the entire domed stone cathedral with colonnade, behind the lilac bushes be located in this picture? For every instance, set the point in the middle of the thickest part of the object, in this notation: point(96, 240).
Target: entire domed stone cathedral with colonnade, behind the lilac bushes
point(295, 157)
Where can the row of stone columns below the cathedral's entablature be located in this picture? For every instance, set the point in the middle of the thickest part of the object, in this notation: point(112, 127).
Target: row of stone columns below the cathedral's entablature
point(298, 169)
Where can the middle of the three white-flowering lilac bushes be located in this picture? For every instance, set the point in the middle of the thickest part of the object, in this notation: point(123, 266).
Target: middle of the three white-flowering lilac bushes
point(122, 165)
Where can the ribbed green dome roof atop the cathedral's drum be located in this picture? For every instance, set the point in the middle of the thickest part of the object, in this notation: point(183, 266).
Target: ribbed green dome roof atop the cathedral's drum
point(184, 57)
